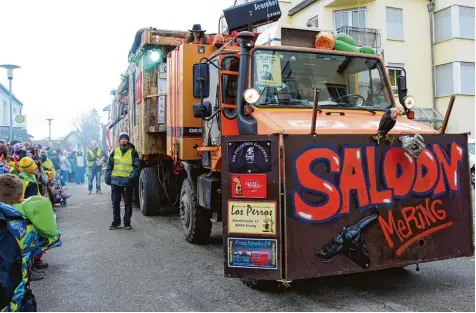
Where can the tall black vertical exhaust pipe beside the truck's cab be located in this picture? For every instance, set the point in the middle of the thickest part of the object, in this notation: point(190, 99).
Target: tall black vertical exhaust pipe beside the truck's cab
point(246, 124)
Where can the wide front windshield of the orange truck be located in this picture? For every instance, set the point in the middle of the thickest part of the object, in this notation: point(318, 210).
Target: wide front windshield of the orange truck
point(288, 78)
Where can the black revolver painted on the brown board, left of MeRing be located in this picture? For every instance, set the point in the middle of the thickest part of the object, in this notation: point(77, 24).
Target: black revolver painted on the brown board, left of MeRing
point(350, 242)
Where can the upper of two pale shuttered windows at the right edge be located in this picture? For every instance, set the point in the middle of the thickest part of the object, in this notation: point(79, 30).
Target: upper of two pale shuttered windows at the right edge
point(454, 22)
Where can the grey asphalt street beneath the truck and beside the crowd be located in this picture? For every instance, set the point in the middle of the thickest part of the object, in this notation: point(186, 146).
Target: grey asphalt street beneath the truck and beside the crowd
point(152, 268)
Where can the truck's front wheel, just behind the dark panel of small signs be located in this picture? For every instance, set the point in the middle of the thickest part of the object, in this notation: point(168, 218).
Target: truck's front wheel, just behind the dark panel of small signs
point(196, 223)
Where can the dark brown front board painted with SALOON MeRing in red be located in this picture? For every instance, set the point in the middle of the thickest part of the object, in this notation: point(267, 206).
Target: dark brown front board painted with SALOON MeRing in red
point(361, 205)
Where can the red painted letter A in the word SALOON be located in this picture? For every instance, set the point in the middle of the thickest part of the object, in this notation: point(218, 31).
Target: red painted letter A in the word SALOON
point(352, 178)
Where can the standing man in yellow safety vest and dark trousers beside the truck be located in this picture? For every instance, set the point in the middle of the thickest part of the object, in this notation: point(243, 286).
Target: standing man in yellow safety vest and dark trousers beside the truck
point(123, 167)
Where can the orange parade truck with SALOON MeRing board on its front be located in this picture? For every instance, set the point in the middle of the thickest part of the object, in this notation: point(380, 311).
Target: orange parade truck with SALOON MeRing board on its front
point(303, 153)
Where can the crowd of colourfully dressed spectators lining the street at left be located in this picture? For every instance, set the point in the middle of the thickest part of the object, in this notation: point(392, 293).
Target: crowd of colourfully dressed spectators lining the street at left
point(33, 181)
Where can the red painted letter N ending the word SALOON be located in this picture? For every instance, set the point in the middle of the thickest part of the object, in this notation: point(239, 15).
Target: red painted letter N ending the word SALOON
point(450, 170)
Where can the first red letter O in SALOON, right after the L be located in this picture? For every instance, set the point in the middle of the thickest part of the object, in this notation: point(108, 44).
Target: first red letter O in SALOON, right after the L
point(397, 158)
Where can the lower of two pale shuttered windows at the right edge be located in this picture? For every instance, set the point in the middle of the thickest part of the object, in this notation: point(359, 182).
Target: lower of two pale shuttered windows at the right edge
point(455, 78)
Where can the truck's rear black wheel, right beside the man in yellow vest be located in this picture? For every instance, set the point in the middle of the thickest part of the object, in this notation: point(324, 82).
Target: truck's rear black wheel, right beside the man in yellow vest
point(149, 192)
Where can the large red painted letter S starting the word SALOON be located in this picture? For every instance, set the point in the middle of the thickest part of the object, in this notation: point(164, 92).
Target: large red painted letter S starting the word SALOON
point(310, 181)
